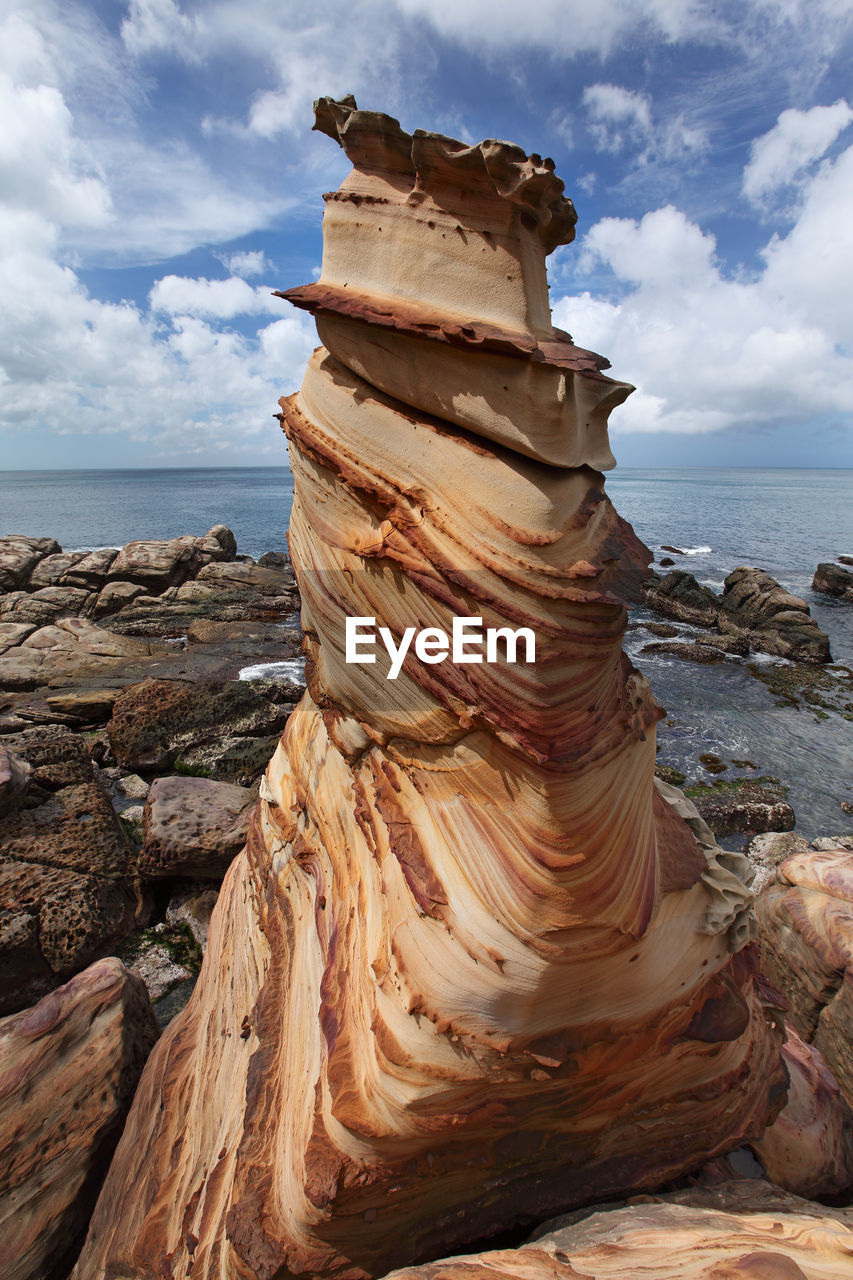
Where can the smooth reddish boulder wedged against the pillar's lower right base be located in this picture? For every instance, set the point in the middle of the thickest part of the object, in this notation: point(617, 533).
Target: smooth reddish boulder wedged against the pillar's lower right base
point(809, 1149)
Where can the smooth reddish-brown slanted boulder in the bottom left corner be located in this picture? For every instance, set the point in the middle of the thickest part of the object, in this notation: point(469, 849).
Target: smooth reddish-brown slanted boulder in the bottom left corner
point(69, 1069)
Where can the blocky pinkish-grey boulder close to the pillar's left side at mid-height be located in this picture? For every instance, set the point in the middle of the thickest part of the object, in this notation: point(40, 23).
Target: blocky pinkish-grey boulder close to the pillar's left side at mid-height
point(194, 828)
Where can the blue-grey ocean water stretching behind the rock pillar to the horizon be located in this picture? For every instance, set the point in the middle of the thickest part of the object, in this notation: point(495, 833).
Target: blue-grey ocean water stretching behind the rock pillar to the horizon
point(784, 522)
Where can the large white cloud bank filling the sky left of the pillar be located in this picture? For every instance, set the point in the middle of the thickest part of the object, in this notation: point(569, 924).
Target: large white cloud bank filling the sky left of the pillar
point(71, 363)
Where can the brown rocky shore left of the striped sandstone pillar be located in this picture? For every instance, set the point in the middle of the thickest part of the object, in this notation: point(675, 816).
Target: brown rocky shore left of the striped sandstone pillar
point(131, 751)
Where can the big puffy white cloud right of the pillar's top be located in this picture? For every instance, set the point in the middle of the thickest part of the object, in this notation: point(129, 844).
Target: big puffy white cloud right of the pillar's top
point(709, 351)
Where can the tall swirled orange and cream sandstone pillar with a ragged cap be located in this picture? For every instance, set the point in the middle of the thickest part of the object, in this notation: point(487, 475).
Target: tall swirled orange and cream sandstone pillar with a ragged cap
point(473, 967)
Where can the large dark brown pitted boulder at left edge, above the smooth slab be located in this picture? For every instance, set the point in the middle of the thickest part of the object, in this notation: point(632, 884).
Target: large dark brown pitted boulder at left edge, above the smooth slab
point(69, 881)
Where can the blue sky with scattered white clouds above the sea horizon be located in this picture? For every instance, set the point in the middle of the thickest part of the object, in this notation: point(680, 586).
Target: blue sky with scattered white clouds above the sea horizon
point(159, 179)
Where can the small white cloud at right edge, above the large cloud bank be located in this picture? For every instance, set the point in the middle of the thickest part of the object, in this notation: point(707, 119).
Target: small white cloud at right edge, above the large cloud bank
point(797, 140)
